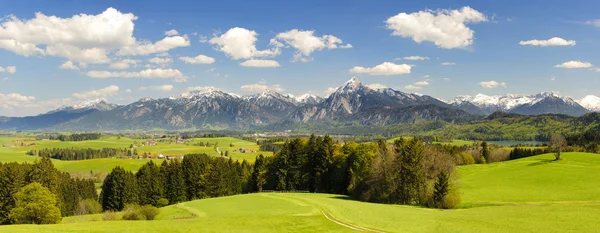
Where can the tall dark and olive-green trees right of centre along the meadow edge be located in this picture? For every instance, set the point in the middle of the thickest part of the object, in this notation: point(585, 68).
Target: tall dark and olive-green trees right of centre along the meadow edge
point(406, 172)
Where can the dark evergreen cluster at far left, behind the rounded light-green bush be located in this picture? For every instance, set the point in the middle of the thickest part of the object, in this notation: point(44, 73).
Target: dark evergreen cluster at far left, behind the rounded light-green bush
point(68, 191)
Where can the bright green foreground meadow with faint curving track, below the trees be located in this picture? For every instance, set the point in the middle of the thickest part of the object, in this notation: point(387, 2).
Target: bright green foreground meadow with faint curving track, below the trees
point(533, 194)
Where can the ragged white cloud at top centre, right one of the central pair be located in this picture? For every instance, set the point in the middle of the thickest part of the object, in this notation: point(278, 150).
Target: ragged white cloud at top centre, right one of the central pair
point(306, 43)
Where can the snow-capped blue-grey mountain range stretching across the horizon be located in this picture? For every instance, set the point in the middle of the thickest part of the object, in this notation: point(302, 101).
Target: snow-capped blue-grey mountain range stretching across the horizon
point(350, 104)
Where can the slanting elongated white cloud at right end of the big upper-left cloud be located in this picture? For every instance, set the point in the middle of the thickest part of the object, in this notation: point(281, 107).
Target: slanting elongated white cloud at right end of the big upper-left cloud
point(146, 47)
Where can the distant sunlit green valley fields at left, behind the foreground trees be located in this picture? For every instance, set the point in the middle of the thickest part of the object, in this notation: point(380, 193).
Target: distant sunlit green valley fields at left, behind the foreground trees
point(15, 152)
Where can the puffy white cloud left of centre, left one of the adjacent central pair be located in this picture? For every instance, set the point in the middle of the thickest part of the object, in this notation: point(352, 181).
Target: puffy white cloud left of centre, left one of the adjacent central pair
point(240, 43)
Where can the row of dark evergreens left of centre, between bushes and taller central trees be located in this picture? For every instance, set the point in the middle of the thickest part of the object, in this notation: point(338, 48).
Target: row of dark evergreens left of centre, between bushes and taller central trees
point(196, 176)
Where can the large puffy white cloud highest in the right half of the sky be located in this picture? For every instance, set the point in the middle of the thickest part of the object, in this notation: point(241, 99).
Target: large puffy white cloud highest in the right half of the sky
point(445, 28)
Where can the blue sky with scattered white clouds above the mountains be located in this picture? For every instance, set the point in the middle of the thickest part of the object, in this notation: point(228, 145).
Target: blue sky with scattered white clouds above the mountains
point(313, 46)
